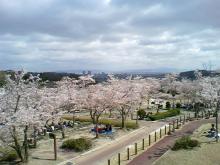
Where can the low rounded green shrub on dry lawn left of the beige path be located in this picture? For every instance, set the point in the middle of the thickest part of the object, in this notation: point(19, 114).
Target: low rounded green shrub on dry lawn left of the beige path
point(77, 145)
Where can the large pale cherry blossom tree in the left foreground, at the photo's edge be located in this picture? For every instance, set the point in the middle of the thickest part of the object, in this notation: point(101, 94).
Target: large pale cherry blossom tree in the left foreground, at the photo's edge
point(23, 105)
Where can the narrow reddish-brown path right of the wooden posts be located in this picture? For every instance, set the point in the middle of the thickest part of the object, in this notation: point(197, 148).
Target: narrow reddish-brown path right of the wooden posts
point(158, 149)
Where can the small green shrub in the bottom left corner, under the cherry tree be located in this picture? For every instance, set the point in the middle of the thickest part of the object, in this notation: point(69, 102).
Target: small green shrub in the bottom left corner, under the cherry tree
point(7, 154)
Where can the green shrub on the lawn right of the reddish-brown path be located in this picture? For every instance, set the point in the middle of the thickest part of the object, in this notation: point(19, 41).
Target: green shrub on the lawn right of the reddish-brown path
point(185, 142)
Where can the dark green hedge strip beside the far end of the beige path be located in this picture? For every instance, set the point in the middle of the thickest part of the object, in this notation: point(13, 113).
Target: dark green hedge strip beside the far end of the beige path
point(163, 115)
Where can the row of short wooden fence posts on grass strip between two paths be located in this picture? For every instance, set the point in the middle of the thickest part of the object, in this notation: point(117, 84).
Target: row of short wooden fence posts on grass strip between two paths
point(140, 146)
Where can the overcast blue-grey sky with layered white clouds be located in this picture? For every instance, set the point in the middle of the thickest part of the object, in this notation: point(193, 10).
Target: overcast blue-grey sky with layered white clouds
point(56, 35)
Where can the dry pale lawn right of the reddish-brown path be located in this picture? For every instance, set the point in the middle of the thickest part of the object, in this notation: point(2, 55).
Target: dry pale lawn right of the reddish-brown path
point(206, 154)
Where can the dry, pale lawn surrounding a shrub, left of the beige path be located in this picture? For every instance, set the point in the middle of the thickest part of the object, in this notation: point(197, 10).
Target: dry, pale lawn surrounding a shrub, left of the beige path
point(43, 154)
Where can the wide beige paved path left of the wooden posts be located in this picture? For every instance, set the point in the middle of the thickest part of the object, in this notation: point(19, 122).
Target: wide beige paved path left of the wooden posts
point(101, 155)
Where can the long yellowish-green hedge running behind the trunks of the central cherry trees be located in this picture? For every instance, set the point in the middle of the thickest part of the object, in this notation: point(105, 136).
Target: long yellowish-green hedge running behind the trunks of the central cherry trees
point(114, 122)
